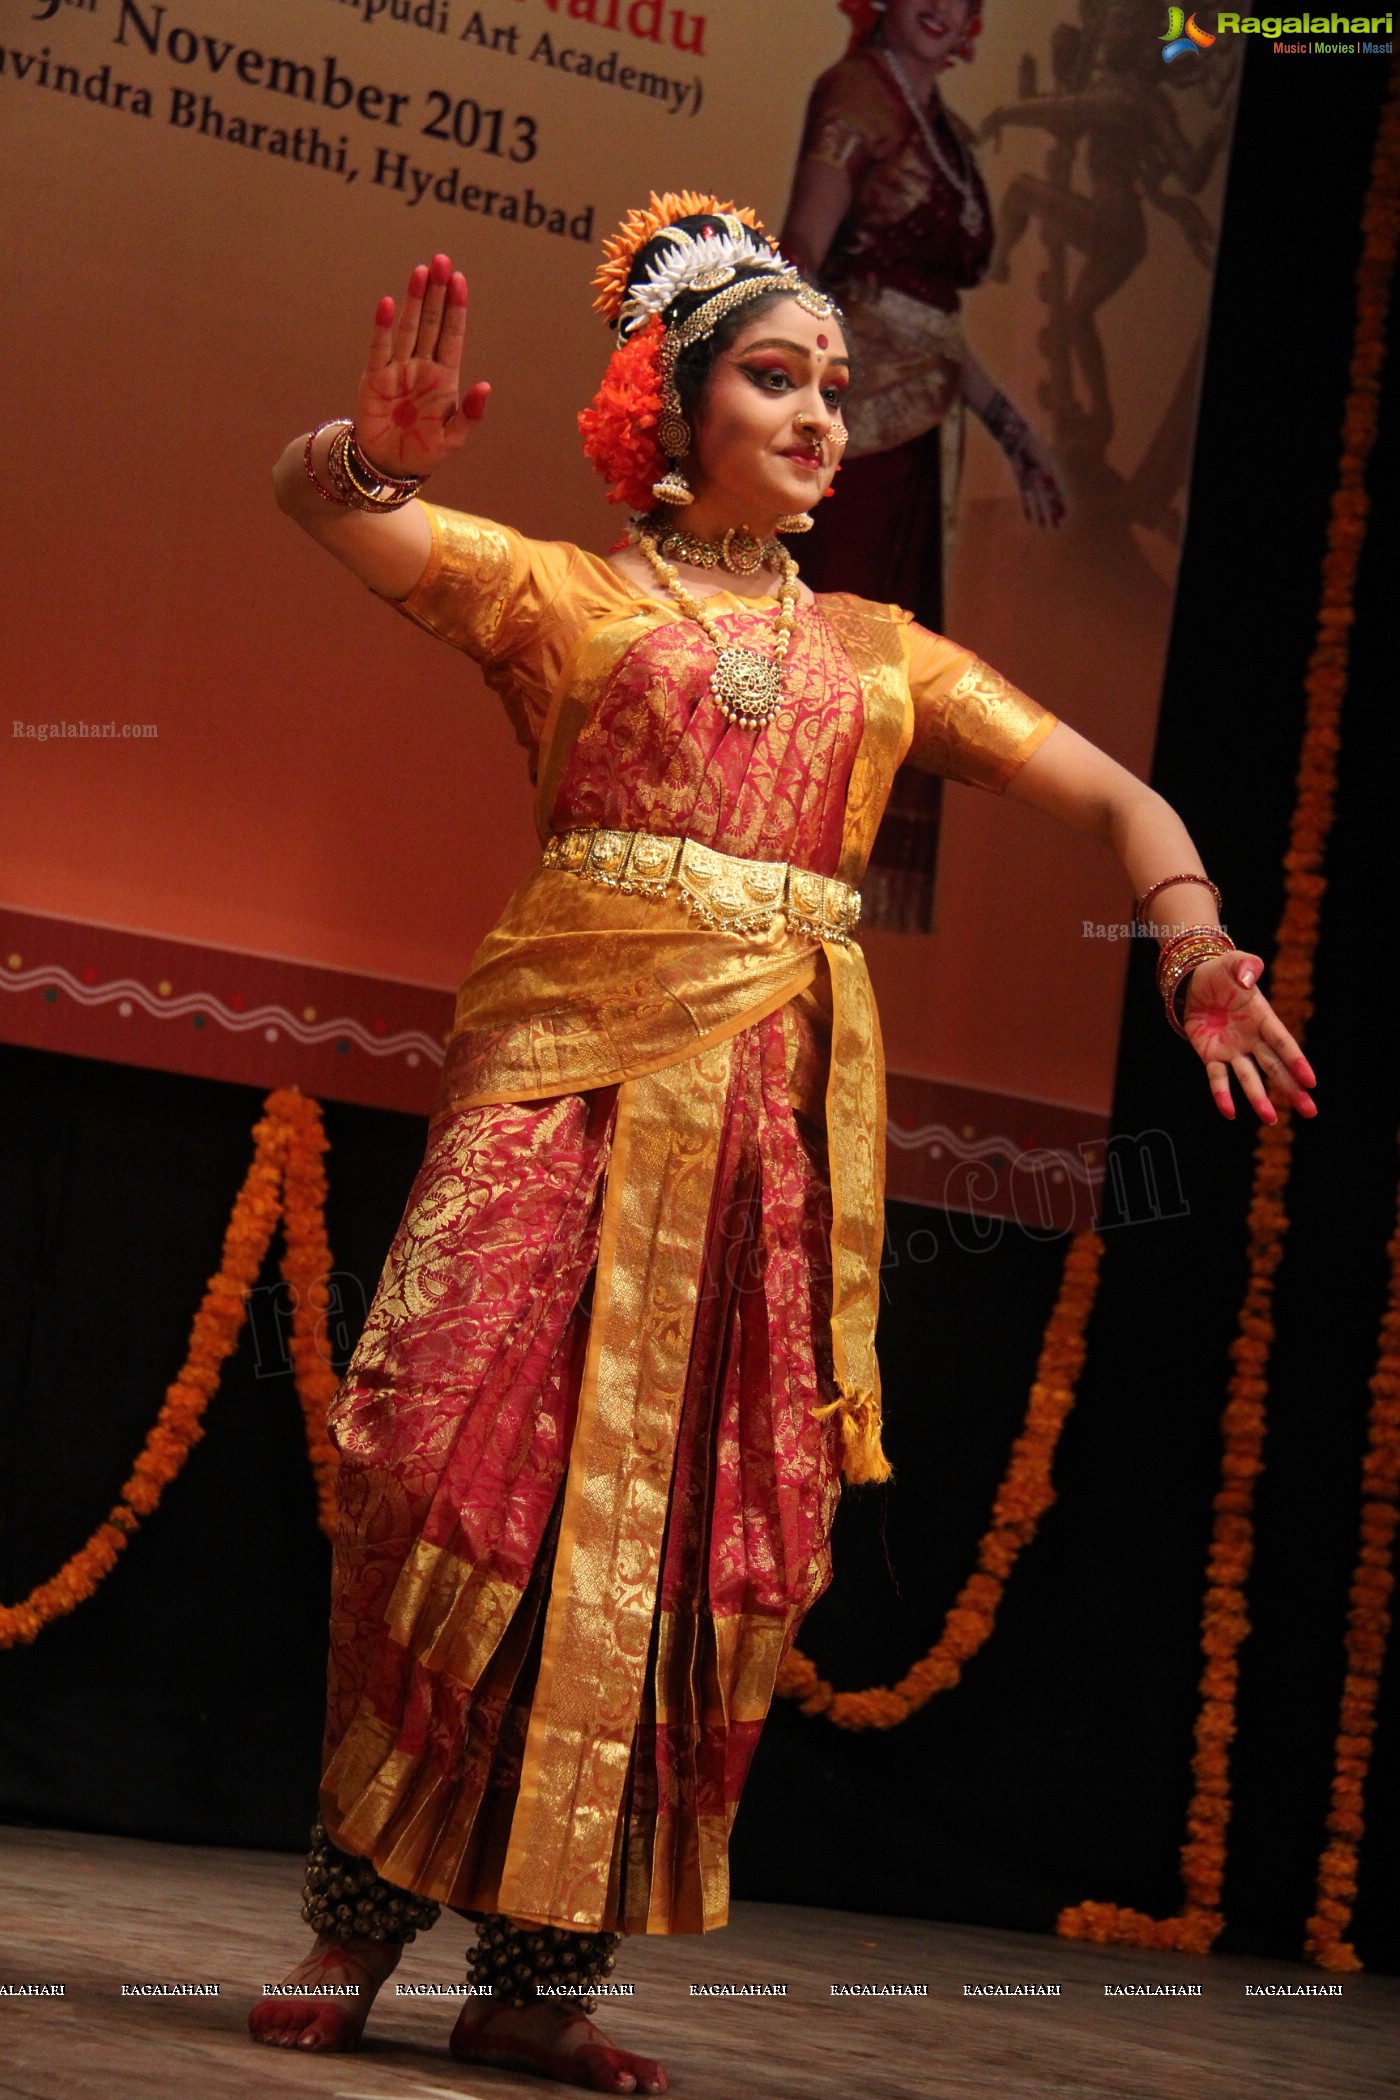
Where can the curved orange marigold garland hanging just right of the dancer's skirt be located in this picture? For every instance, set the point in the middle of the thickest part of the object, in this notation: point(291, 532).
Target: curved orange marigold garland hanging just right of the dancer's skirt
point(1023, 1498)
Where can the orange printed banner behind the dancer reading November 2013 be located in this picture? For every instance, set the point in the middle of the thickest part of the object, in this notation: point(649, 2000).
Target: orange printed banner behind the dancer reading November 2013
point(221, 740)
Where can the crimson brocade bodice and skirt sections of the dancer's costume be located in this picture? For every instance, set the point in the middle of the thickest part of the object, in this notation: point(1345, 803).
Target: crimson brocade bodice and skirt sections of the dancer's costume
point(457, 1416)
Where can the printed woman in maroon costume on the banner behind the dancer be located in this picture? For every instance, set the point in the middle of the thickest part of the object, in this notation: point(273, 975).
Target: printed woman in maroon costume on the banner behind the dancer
point(891, 211)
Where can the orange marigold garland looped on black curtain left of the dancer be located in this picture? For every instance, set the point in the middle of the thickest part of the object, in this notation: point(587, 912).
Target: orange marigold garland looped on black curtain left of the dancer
point(284, 1181)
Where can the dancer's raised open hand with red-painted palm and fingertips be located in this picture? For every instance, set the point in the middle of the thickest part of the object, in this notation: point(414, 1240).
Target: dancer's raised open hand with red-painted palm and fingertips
point(408, 413)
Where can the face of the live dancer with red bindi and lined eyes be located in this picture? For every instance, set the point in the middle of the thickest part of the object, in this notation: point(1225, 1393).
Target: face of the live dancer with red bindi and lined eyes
point(769, 429)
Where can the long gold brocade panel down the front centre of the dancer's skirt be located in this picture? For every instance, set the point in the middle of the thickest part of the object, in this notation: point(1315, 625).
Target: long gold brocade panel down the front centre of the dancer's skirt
point(606, 1580)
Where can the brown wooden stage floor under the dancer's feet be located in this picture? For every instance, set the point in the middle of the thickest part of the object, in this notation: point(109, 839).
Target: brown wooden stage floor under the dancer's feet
point(96, 1914)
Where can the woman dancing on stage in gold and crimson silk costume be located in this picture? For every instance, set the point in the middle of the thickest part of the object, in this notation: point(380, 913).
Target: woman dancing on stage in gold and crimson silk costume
point(624, 1339)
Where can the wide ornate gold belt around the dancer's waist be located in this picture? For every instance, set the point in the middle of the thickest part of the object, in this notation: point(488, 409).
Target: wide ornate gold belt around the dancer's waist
point(719, 887)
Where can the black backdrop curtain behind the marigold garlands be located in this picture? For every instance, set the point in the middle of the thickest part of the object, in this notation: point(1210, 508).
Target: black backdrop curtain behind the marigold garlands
point(186, 1698)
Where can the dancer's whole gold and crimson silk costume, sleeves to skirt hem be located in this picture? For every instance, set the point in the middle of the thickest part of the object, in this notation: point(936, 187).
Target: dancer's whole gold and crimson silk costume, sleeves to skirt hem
point(585, 1490)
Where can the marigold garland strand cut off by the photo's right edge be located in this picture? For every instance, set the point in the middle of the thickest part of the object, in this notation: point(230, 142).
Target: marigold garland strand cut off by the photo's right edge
point(1365, 1647)
